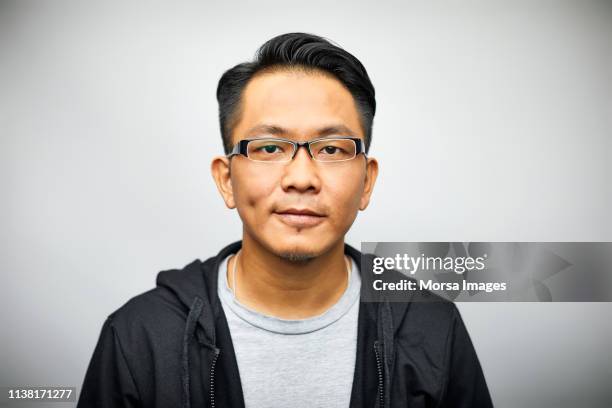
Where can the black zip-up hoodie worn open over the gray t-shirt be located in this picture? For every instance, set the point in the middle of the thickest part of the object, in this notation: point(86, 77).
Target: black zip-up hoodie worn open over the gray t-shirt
point(171, 347)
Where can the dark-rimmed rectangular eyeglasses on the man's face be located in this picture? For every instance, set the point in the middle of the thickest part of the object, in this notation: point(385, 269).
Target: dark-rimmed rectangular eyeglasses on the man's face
point(274, 150)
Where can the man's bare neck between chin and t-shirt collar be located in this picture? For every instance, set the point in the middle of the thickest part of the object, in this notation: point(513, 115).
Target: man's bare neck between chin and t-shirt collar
point(285, 289)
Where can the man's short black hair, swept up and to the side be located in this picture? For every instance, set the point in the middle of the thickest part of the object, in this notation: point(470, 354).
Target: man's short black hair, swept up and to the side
point(296, 51)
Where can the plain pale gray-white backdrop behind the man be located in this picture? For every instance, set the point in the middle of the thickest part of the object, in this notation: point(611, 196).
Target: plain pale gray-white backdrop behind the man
point(493, 124)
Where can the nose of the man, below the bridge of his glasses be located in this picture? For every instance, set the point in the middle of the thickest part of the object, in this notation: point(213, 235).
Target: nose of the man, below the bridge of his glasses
point(301, 174)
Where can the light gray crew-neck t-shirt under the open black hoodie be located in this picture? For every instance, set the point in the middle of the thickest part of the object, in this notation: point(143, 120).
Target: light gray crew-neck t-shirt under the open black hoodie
point(295, 363)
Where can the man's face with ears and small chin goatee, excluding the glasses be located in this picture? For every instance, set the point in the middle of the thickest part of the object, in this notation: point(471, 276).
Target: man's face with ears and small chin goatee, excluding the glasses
point(299, 106)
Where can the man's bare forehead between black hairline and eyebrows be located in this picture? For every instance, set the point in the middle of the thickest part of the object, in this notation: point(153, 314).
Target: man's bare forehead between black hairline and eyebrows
point(302, 102)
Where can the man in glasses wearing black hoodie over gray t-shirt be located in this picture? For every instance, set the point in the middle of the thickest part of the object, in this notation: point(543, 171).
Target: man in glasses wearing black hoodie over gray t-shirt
point(275, 320)
